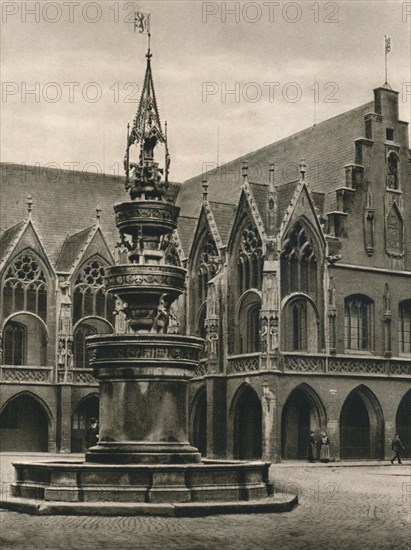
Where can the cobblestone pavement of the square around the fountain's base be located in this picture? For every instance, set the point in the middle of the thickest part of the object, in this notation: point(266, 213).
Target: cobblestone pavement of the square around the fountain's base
point(340, 508)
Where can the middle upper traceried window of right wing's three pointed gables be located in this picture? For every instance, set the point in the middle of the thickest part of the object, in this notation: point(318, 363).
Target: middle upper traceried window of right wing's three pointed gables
point(249, 259)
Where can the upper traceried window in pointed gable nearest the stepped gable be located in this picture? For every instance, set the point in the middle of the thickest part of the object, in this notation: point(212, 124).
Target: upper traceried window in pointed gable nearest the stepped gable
point(299, 263)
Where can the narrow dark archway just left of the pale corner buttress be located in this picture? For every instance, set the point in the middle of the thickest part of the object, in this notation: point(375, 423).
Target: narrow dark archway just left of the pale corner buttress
point(248, 426)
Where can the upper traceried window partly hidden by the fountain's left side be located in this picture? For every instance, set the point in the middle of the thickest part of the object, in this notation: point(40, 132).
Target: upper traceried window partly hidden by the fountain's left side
point(90, 297)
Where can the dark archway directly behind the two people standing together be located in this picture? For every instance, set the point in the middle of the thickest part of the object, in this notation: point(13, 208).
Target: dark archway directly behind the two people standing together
point(300, 415)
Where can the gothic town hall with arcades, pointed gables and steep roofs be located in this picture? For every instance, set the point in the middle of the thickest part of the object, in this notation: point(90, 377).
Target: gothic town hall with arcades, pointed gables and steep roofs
point(298, 260)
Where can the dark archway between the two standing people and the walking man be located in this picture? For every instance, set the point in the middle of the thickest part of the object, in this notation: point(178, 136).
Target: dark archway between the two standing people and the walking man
point(361, 426)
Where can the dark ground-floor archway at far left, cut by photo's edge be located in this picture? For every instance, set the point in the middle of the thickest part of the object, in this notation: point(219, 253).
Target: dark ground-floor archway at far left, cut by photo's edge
point(23, 426)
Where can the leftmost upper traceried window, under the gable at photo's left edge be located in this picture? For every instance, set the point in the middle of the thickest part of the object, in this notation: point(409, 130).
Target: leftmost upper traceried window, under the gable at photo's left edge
point(25, 287)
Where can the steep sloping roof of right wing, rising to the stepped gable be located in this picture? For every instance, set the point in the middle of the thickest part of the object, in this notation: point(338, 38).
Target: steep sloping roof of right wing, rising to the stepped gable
point(326, 147)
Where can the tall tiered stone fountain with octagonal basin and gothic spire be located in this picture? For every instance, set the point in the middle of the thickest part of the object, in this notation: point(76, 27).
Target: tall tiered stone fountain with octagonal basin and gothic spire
point(144, 462)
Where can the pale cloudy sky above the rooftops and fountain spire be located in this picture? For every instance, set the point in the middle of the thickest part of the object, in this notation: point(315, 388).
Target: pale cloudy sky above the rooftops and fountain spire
point(230, 77)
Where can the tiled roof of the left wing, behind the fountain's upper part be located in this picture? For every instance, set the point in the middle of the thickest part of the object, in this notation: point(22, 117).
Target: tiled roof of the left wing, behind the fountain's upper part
point(57, 211)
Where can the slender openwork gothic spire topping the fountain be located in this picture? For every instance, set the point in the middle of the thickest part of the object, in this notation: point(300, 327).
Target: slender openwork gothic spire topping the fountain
point(146, 131)
